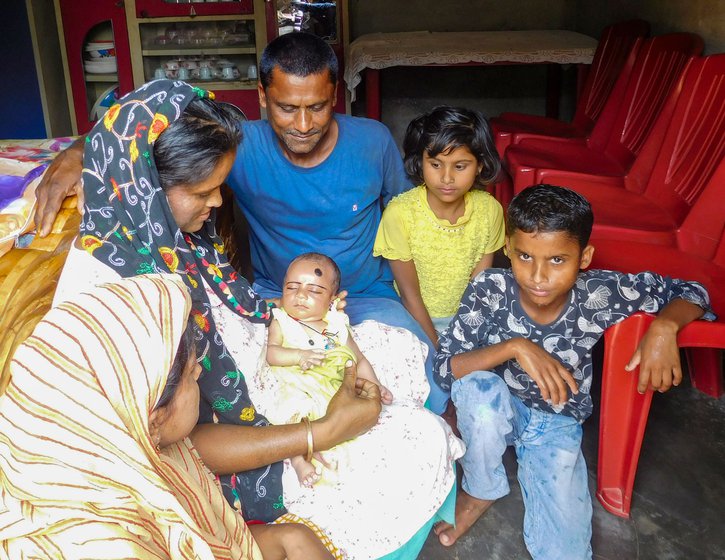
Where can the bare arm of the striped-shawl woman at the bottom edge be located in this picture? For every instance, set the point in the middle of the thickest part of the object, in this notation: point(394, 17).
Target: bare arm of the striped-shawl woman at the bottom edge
point(289, 540)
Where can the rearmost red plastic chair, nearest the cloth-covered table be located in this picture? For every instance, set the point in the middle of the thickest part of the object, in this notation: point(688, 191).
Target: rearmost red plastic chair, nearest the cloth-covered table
point(612, 52)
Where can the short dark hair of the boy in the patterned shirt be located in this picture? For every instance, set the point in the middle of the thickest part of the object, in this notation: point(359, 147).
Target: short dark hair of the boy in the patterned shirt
point(547, 209)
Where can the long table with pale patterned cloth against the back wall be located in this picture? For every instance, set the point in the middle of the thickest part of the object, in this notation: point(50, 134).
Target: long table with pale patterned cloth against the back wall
point(373, 52)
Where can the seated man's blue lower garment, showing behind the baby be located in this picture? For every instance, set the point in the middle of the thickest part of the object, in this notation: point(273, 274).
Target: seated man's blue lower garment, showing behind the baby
point(391, 312)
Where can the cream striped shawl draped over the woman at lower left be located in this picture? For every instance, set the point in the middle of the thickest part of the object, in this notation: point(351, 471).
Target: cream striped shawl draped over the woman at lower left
point(79, 475)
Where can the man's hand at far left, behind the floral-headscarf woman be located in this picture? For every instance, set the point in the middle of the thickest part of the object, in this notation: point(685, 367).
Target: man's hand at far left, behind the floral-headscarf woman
point(61, 179)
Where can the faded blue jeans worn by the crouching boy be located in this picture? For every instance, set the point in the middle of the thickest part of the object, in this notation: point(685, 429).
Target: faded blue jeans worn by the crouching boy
point(552, 472)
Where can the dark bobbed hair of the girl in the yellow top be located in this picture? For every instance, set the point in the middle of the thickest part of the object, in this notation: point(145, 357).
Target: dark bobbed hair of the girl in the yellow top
point(447, 128)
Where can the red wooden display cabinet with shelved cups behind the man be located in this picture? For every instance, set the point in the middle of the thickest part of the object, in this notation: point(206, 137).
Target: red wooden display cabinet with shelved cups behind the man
point(154, 38)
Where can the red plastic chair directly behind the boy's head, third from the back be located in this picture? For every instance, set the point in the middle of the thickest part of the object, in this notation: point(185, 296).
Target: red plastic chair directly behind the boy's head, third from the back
point(651, 202)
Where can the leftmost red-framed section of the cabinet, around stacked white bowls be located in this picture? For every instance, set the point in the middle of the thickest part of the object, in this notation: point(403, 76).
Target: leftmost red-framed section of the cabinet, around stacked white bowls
point(84, 22)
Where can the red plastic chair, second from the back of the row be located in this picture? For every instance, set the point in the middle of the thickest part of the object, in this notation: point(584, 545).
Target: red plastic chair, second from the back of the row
point(620, 132)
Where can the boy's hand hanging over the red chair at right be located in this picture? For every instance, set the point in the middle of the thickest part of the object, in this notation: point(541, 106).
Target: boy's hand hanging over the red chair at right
point(658, 357)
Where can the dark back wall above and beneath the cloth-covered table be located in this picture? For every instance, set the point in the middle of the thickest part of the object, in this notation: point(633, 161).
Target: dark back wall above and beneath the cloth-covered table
point(408, 91)
